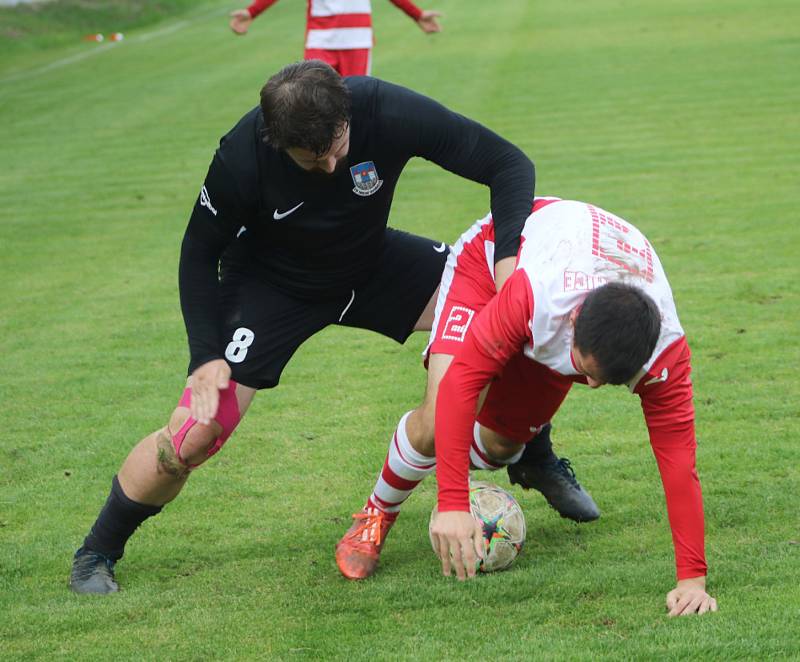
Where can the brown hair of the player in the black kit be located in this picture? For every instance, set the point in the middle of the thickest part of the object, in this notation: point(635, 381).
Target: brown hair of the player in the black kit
point(305, 105)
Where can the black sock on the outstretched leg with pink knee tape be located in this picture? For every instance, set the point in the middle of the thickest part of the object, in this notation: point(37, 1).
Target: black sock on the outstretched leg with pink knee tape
point(117, 521)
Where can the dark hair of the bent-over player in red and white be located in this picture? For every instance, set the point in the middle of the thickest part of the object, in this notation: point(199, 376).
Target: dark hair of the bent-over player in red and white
point(618, 325)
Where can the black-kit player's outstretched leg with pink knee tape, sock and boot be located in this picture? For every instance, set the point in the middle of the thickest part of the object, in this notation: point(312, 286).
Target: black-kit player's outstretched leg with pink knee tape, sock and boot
point(152, 475)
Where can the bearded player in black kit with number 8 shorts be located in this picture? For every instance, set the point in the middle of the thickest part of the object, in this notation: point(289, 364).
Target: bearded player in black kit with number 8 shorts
point(288, 235)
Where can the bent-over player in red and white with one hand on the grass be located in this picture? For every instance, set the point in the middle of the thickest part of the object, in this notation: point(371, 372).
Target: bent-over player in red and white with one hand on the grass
point(589, 303)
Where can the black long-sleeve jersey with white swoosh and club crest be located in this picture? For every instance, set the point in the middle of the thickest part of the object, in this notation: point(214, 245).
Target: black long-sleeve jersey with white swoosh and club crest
point(318, 236)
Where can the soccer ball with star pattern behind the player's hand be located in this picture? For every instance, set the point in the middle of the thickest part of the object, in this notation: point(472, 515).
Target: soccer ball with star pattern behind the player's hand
point(503, 524)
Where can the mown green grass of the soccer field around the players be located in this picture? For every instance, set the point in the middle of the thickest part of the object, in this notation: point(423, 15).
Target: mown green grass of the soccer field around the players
point(681, 117)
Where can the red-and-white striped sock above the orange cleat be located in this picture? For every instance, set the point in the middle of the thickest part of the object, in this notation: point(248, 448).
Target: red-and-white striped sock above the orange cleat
point(402, 471)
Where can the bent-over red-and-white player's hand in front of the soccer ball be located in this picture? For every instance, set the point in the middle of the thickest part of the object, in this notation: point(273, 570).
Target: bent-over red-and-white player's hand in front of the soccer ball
point(457, 538)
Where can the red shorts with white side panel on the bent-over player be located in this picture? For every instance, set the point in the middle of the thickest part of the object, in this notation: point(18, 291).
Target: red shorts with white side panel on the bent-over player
point(527, 394)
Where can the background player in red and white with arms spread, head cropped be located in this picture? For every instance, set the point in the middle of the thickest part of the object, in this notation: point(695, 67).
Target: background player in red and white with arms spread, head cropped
point(339, 32)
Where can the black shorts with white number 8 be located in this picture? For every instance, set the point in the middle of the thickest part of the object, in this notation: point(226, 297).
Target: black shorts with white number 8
point(264, 326)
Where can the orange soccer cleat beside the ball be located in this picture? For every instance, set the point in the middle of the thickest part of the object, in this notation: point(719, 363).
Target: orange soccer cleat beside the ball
point(358, 551)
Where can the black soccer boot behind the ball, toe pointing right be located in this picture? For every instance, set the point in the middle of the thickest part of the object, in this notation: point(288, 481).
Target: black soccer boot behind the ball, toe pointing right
point(540, 469)
